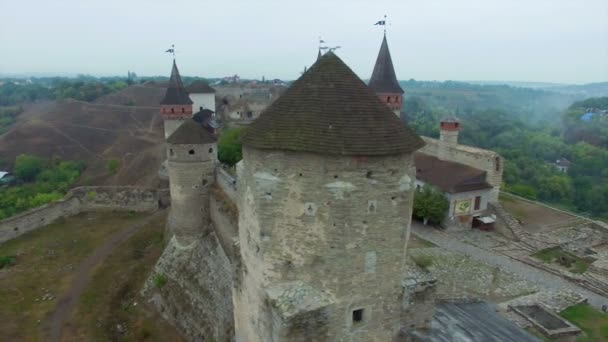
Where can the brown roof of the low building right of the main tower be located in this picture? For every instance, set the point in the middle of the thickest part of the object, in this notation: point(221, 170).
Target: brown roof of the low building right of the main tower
point(449, 176)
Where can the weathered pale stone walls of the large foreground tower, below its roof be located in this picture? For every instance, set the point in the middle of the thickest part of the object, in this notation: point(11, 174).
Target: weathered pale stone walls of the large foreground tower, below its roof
point(338, 225)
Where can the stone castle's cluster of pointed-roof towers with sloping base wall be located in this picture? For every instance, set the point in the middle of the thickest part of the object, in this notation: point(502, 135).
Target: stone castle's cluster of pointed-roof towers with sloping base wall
point(308, 242)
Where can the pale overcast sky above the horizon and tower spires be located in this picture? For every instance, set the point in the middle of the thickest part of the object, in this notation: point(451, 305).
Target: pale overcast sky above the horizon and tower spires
point(564, 41)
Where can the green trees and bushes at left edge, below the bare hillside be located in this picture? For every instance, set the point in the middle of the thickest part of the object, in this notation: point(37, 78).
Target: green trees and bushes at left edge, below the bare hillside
point(38, 182)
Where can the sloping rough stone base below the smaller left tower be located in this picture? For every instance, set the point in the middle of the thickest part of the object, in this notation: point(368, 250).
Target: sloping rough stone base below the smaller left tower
point(197, 298)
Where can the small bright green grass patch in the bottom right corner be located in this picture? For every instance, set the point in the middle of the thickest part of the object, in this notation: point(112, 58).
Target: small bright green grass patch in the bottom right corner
point(591, 321)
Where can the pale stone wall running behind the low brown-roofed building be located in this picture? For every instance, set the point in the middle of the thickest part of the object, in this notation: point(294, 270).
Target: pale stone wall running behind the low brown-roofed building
point(485, 160)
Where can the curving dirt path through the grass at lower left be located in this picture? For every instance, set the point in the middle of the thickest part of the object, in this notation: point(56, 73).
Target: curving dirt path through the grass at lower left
point(84, 272)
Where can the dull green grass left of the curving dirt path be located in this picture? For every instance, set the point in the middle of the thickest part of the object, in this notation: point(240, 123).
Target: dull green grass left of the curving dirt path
point(46, 262)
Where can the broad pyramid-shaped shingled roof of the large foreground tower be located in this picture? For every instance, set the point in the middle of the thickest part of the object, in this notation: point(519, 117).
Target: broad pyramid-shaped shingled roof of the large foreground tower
point(329, 110)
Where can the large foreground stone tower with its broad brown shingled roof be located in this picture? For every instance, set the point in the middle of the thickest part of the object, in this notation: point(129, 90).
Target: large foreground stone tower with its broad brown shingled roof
point(325, 201)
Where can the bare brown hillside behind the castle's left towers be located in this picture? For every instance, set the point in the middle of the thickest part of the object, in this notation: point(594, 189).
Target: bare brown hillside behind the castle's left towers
point(95, 133)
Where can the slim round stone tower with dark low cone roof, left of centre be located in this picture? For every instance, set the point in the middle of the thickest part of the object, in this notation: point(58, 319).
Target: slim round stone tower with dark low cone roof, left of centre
point(191, 155)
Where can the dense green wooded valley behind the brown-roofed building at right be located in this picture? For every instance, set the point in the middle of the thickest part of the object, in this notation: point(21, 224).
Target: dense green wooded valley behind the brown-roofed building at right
point(530, 150)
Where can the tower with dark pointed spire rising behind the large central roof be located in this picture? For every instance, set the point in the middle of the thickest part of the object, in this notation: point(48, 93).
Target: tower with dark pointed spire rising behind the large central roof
point(384, 81)
